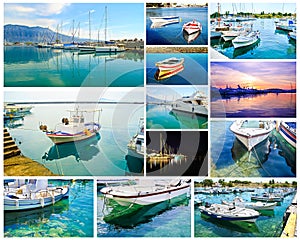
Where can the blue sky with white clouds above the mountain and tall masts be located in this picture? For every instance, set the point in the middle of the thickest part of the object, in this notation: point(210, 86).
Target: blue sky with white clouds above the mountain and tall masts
point(123, 20)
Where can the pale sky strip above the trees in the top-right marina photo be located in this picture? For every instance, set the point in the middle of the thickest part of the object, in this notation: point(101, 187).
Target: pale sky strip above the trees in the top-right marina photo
point(257, 7)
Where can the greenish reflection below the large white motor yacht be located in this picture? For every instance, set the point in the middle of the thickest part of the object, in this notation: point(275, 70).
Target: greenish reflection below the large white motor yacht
point(190, 120)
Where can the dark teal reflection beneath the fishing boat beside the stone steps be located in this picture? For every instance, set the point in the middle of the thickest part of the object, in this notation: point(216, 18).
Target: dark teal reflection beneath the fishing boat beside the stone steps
point(83, 150)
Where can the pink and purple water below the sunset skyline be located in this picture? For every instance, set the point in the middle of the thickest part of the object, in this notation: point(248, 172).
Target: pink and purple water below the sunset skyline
point(262, 105)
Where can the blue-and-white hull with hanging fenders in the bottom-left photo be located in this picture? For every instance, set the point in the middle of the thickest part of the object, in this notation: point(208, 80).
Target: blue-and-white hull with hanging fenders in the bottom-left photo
point(27, 204)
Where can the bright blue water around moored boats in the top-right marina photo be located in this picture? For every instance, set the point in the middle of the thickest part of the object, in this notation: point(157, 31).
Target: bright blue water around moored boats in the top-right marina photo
point(273, 44)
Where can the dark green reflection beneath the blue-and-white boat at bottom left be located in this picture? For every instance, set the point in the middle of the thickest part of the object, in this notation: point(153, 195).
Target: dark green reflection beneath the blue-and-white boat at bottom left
point(35, 216)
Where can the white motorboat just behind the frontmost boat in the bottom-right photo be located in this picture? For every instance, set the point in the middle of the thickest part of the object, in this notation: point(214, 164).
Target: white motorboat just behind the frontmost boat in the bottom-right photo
point(239, 202)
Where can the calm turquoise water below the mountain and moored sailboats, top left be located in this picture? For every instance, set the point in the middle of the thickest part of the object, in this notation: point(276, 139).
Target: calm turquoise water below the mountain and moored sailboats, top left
point(43, 67)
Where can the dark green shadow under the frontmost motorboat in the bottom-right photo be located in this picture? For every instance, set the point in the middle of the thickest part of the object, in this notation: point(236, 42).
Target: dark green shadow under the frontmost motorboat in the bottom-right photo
point(236, 226)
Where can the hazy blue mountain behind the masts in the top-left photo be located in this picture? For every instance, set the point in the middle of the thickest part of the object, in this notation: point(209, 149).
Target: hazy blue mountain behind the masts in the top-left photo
point(19, 33)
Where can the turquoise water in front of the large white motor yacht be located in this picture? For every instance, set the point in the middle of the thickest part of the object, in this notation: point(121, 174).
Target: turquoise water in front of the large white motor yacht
point(161, 117)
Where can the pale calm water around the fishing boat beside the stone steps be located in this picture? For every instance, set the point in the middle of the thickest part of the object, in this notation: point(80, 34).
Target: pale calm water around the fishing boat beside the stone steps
point(102, 155)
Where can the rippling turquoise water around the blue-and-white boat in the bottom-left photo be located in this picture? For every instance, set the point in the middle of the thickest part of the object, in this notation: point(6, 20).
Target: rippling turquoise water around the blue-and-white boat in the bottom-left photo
point(71, 217)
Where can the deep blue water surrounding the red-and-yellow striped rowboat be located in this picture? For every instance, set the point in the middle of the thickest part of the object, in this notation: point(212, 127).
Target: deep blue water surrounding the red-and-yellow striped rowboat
point(194, 72)
